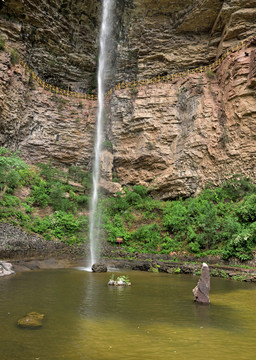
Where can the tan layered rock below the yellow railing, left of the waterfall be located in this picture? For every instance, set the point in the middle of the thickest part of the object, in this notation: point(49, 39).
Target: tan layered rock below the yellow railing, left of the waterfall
point(40, 124)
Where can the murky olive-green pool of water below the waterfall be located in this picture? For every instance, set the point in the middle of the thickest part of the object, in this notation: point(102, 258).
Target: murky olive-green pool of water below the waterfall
point(155, 318)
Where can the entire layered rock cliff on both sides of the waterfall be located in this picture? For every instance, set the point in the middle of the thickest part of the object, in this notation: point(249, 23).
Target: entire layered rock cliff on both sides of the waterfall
point(172, 137)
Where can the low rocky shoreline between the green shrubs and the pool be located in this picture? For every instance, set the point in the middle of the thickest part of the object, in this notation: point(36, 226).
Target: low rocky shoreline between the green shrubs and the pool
point(32, 252)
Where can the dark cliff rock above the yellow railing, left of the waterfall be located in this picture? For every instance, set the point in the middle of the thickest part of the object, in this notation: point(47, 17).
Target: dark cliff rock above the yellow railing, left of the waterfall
point(57, 38)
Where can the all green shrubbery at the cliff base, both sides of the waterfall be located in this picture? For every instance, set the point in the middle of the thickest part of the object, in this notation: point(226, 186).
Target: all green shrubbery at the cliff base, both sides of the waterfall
point(54, 203)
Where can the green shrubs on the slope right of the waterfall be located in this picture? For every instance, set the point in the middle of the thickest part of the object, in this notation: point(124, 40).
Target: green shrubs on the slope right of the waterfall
point(221, 220)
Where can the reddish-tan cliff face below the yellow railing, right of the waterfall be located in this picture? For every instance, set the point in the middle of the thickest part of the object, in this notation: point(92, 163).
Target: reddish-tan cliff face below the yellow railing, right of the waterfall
point(177, 138)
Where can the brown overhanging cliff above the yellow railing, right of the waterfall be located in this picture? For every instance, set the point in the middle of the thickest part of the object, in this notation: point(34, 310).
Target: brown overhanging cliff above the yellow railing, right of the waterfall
point(160, 36)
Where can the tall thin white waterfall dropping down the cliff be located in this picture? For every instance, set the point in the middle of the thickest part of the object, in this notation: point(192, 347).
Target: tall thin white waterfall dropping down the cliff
point(103, 68)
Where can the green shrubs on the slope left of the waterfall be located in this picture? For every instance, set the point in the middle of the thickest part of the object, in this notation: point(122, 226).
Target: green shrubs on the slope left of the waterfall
point(43, 199)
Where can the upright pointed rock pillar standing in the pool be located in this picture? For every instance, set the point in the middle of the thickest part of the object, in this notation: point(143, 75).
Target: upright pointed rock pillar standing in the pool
point(202, 289)
